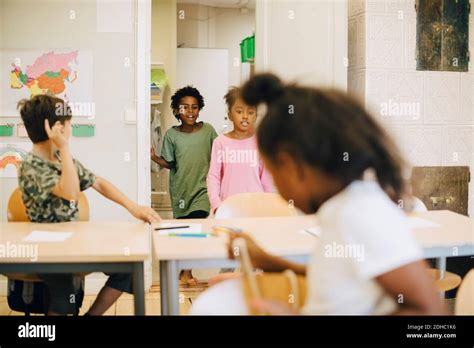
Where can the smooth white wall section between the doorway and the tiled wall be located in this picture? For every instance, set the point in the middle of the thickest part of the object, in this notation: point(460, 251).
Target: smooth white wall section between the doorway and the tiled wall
point(303, 40)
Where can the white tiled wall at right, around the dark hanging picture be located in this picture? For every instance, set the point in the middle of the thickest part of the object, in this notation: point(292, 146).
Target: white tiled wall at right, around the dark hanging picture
point(383, 70)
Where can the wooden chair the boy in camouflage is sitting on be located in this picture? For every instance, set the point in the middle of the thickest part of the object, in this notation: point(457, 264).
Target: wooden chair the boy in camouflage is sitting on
point(16, 212)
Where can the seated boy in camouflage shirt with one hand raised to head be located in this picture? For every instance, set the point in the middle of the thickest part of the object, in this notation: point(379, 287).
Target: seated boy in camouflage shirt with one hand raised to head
point(50, 180)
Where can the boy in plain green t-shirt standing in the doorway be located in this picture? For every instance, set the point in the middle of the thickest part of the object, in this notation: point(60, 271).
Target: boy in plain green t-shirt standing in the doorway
point(187, 153)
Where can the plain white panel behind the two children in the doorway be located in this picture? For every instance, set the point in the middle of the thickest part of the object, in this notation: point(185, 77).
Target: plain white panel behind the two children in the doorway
point(207, 69)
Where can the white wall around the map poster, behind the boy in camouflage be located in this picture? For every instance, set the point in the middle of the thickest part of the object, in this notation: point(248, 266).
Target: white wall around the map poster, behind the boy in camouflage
point(113, 89)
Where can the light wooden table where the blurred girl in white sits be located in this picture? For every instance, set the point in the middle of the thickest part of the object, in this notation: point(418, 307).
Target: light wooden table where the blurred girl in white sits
point(283, 236)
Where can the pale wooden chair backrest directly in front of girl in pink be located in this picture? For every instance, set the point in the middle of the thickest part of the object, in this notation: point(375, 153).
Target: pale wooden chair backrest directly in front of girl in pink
point(257, 204)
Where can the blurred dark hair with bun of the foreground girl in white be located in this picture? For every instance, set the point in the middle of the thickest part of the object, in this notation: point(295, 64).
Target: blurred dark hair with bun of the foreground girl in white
point(326, 129)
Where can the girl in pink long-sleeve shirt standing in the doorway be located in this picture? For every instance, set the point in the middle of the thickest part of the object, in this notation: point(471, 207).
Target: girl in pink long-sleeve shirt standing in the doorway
point(236, 165)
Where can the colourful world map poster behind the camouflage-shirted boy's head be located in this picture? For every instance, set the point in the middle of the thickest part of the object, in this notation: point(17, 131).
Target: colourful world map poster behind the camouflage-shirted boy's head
point(66, 74)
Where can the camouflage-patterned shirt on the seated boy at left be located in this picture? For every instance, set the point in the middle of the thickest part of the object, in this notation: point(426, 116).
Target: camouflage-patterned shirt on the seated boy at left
point(37, 179)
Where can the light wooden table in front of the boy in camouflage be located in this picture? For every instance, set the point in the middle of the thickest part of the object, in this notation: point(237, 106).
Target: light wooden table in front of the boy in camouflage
point(113, 247)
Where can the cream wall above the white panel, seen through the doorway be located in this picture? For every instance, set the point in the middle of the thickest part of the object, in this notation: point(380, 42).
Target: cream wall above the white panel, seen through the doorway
point(211, 27)
